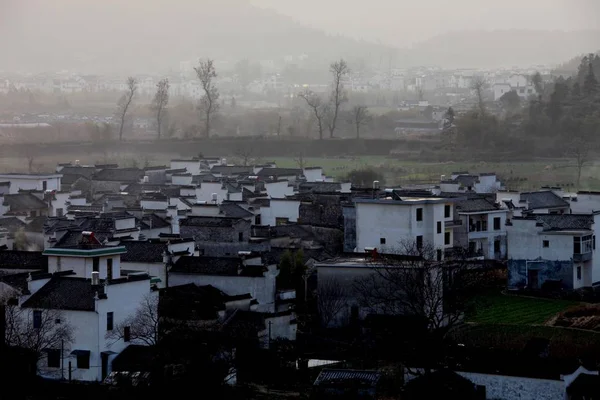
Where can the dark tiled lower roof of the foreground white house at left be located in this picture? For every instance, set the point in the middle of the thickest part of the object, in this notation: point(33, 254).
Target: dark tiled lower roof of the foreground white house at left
point(62, 293)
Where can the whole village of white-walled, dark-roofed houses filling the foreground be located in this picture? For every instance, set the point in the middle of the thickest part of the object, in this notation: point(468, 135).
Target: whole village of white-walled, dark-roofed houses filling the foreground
point(100, 265)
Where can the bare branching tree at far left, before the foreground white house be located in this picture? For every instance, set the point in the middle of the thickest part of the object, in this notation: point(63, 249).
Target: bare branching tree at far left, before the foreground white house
point(37, 330)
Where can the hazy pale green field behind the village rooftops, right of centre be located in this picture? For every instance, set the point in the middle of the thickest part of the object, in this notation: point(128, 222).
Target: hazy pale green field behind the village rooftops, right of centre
point(526, 175)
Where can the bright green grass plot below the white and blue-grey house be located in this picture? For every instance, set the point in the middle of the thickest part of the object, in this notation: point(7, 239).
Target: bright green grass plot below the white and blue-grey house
point(516, 310)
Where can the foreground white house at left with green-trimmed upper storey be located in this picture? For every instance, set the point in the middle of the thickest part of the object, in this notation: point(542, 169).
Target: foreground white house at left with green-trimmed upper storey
point(86, 290)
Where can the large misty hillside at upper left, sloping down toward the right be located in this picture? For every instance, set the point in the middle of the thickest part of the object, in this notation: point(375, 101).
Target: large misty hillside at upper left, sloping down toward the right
point(104, 35)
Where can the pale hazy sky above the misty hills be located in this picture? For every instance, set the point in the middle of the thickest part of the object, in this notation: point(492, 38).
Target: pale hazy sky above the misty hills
point(403, 22)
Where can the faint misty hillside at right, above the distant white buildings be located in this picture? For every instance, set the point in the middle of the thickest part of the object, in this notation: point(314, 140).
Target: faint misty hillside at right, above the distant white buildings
point(504, 48)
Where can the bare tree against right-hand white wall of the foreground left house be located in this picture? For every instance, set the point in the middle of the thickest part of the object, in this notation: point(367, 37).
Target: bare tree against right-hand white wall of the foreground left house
point(141, 327)
